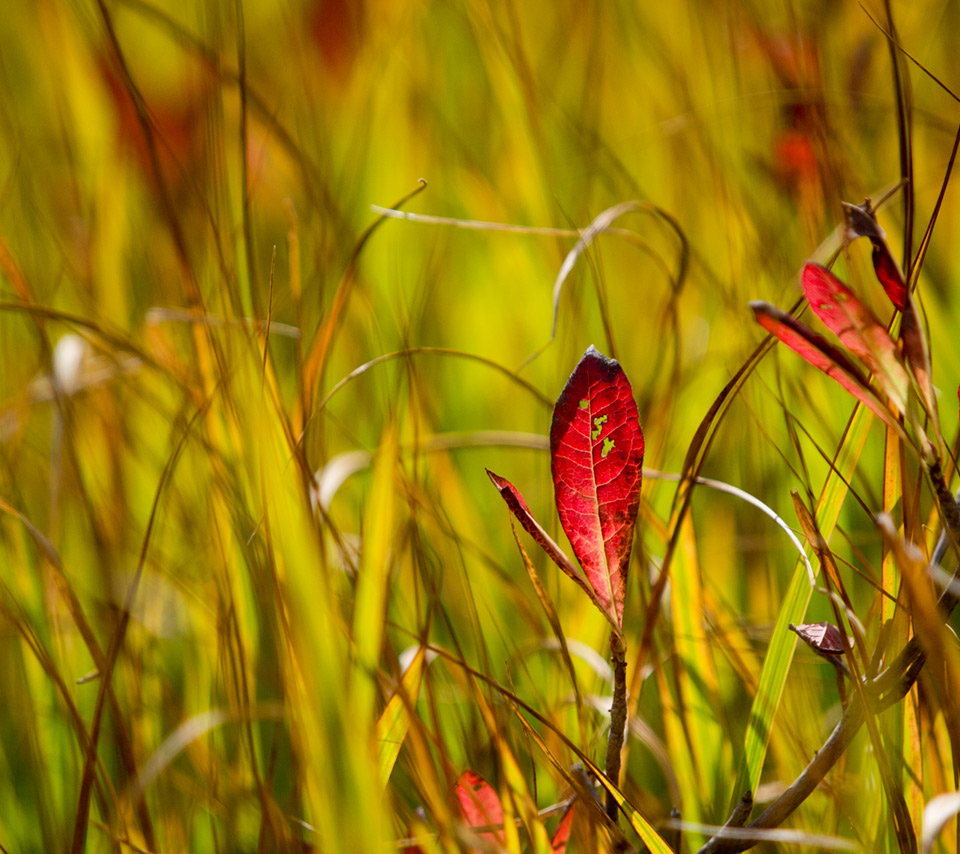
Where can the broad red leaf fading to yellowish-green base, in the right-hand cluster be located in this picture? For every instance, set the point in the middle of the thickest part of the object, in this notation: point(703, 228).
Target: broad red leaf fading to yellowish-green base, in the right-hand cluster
point(859, 330)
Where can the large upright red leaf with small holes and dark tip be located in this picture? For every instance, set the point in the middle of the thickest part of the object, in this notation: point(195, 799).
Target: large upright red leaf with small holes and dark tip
point(596, 447)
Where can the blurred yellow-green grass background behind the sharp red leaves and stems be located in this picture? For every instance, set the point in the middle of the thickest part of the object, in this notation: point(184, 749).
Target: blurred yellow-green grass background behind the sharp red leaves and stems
point(175, 176)
